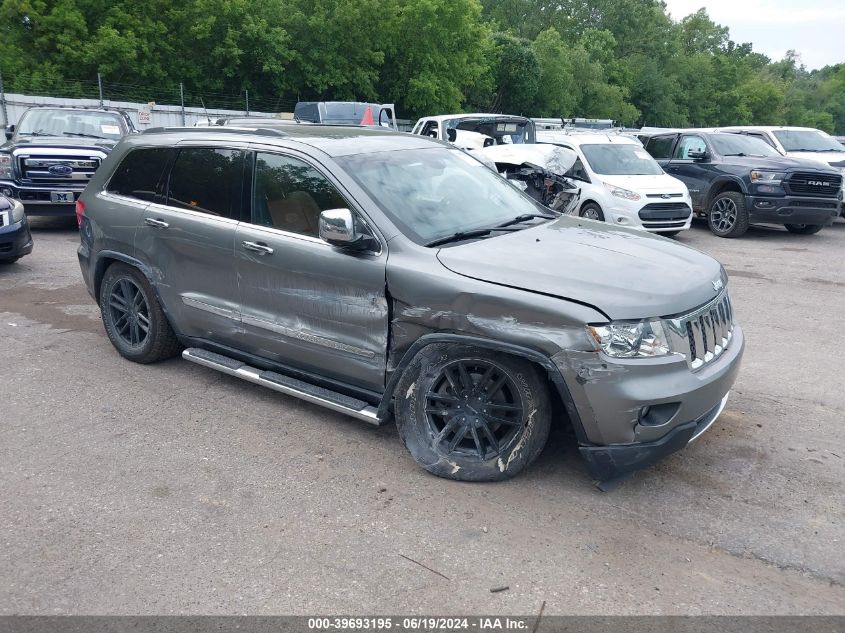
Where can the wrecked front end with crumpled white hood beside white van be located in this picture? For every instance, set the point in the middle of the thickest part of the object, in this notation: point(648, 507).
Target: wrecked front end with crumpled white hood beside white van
point(539, 170)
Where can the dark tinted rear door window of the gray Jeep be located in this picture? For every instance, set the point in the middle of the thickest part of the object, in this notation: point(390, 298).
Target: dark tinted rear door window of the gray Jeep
point(207, 180)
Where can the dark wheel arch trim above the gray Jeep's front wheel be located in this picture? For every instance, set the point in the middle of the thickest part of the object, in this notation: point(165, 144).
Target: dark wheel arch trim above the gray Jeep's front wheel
point(558, 388)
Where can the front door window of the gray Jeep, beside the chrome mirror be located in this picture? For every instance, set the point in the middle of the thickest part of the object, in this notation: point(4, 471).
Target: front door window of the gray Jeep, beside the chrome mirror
point(289, 195)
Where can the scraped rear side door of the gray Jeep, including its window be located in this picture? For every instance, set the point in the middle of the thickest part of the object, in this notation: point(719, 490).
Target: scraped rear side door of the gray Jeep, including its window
point(187, 239)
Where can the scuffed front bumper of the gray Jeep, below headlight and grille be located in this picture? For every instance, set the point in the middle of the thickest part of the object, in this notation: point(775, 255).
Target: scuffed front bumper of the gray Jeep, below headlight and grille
point(609, 396)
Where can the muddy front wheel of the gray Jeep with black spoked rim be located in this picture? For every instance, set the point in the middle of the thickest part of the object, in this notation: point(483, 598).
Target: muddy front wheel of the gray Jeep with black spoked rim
point(471, 414)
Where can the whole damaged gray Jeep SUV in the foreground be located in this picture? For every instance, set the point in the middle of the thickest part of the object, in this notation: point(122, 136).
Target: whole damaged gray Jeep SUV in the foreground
point(385, 276)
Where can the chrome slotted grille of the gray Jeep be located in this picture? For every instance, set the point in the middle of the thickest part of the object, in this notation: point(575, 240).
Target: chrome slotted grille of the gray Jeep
point(703, 335)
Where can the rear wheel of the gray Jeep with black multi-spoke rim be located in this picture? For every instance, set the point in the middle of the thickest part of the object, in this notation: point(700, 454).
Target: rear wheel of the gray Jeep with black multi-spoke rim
point(134, 321)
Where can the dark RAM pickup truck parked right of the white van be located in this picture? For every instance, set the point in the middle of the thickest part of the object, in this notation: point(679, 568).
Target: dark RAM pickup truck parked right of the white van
point(736, 181)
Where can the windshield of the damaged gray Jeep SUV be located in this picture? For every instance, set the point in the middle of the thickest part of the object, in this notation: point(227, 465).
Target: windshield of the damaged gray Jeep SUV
point(434, 193)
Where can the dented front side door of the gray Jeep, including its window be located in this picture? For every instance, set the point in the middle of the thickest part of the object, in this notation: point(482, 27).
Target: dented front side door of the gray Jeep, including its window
point(304, 303)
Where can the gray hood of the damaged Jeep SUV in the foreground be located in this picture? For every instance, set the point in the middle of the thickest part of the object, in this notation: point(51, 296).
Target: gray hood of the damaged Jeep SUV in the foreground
point(624, 273)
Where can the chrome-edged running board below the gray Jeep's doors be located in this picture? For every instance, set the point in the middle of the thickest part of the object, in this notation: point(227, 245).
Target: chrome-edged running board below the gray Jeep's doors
point(285, 384)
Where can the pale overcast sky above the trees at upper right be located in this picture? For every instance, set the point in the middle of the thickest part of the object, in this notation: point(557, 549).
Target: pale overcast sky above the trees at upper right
point(813, 28)
